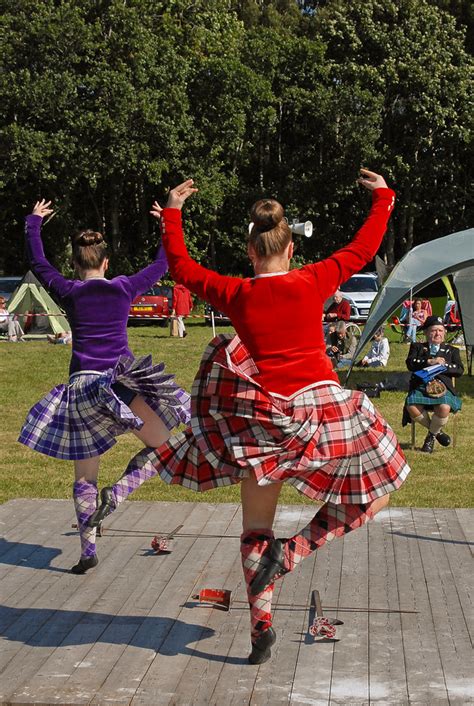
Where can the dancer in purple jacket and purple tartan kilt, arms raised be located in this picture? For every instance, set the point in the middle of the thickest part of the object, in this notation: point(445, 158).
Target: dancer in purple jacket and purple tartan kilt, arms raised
point(109, 392)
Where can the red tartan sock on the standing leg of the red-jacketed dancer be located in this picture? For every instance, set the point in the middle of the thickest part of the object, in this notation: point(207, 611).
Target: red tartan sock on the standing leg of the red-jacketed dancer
point(253, 545)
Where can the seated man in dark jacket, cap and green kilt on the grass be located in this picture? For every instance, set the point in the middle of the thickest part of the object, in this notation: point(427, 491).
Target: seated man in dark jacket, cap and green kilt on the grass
point(438, 395)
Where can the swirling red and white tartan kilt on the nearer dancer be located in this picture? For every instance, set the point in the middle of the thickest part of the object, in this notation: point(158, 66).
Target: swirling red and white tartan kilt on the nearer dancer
point(329, 442)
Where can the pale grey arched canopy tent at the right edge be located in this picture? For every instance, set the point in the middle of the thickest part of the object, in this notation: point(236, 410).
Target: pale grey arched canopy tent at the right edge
point(453, 254)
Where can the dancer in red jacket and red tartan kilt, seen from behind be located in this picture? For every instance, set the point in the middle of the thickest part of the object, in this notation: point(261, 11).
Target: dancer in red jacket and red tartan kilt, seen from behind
point(267, 406)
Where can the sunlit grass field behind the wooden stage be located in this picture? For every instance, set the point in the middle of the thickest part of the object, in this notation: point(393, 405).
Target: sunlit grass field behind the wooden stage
point(444, 479)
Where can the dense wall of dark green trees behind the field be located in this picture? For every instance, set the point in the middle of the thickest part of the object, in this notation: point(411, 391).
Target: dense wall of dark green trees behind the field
point(107, 103)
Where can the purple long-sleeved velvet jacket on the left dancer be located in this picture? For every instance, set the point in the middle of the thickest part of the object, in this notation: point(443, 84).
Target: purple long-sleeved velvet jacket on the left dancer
point(97, 309)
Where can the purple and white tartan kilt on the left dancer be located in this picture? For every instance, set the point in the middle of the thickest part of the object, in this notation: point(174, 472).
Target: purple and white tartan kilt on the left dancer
point(82, 419)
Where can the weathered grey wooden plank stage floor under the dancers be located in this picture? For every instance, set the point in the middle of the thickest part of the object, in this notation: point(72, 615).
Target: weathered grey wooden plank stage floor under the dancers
point(130, 633)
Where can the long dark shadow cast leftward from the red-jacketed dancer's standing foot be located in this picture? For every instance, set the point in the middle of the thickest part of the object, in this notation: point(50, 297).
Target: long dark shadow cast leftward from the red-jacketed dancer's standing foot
point(43, 627)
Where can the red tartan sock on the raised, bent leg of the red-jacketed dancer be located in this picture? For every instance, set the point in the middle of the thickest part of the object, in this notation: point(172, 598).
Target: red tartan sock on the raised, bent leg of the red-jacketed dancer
point(330, 521)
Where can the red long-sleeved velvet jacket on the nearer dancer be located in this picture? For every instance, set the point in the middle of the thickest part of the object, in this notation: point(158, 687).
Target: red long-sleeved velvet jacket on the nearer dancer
point(278, 317)
